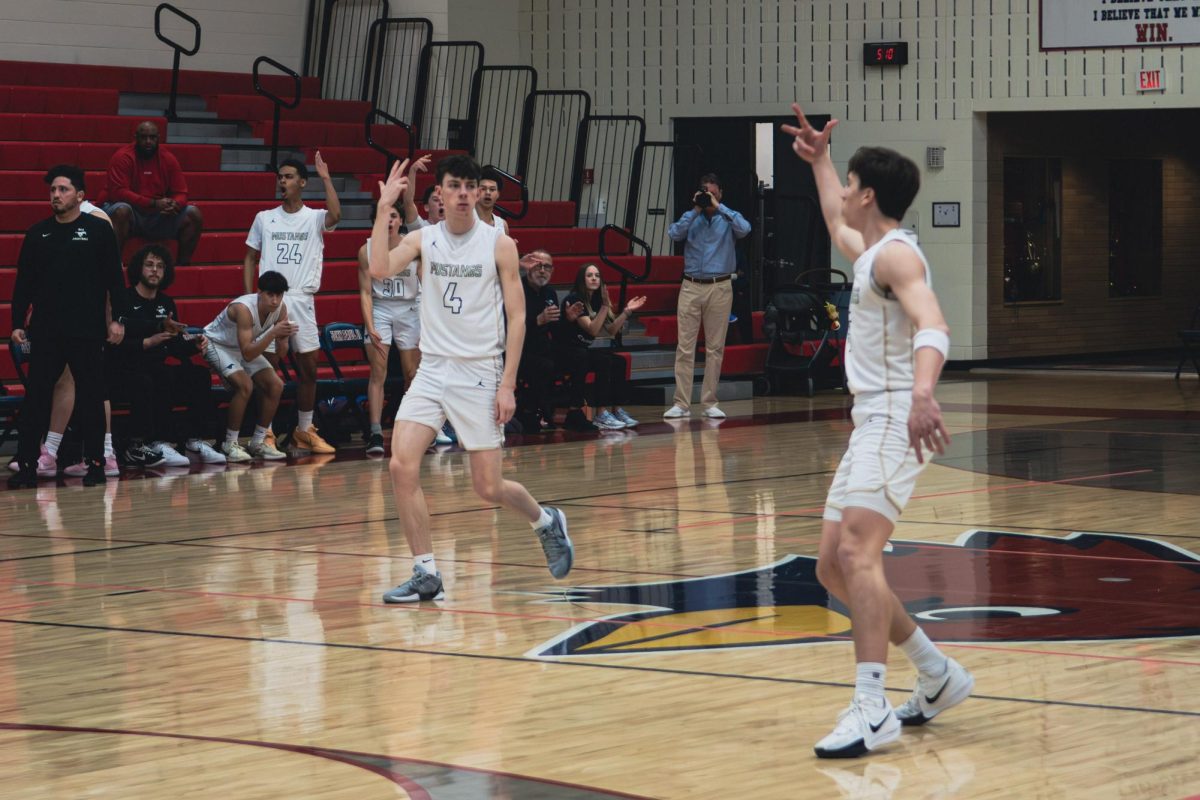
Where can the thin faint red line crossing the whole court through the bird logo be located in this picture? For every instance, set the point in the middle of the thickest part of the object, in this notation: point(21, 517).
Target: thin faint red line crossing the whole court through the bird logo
point(574, 621)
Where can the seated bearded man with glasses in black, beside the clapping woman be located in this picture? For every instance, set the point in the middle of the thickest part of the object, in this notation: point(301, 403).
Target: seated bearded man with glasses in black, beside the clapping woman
point(536, 377)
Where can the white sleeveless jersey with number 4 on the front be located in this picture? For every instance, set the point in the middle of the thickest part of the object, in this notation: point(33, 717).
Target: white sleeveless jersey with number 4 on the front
point(463, 310)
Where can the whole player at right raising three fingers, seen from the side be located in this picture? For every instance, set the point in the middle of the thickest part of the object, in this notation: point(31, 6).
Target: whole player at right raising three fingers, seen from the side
point(896, 350)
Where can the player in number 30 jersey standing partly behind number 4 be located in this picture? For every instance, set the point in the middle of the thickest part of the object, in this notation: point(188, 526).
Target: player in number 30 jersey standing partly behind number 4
point(392, 314)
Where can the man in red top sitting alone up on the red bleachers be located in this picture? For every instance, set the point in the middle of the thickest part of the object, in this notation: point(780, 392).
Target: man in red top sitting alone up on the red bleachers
point(148, 195)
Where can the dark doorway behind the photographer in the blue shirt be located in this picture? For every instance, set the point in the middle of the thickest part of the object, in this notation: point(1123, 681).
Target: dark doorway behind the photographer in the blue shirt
point(788, 236)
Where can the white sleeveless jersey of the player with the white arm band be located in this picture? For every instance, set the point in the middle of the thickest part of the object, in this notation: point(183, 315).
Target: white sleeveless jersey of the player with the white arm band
point(879, 347)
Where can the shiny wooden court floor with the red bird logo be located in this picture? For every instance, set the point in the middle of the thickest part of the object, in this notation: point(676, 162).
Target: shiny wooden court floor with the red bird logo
point(220, 634)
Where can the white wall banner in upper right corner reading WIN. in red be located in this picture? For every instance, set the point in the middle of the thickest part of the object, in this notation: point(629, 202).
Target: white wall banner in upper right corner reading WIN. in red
point(1075, 25)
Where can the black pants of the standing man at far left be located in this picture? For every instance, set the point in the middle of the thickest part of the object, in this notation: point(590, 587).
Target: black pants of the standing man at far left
point(49, 357)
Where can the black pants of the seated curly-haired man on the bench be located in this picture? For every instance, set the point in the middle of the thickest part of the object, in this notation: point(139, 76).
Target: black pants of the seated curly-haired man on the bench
point(154, 390)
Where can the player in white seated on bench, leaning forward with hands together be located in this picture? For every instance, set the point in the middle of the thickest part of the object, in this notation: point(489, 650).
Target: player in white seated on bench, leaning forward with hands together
point(238, 339)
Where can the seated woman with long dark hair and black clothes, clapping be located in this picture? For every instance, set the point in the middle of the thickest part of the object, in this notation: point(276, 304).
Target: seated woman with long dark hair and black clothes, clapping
point(586, 314)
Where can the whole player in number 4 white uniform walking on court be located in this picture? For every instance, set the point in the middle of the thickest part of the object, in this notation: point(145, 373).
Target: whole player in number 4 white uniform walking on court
point(472, 333)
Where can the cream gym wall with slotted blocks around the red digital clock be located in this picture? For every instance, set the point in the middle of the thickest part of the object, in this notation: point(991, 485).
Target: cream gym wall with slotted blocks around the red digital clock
point(968, 58)
